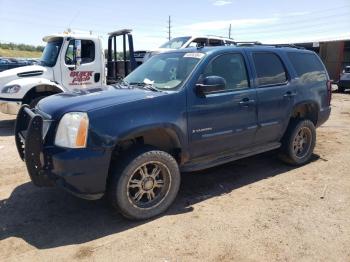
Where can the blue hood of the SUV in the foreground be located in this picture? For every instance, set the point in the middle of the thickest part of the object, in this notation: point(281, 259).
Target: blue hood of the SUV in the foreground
point(92, 99)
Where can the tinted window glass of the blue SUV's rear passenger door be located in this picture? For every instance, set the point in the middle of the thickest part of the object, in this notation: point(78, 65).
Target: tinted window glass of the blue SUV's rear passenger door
point(269, 69)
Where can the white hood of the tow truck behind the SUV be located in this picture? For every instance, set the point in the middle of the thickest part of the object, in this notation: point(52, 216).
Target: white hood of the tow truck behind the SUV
point(24, 72)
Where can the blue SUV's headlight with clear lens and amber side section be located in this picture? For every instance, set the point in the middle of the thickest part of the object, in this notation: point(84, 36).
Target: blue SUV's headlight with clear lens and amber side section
point(72, 130)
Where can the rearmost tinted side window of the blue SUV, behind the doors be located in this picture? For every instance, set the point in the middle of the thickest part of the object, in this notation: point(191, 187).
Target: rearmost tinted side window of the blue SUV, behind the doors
point(308, 67)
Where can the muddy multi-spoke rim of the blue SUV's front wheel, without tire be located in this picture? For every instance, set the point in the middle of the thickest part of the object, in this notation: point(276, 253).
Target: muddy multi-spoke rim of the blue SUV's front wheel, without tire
point(149, 185)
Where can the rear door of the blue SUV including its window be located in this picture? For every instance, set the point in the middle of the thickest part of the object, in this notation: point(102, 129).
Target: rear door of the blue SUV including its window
point(275, 95)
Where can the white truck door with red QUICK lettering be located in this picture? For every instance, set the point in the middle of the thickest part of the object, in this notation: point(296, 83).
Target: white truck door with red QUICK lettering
point(88, 73)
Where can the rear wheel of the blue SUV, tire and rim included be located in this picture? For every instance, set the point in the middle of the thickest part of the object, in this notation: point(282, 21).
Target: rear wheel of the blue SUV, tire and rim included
point(298, 143)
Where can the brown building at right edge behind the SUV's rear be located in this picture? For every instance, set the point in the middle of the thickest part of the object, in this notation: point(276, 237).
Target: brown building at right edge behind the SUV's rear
point(334, 54)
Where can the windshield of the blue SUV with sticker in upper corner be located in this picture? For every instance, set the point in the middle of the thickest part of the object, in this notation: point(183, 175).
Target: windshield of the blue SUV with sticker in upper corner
point(165, 71)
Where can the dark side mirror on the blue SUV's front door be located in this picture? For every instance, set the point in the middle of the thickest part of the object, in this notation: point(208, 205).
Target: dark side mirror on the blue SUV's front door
point(210, 84)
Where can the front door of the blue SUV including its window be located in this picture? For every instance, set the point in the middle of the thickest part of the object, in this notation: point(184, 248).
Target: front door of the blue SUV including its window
point(226, 121)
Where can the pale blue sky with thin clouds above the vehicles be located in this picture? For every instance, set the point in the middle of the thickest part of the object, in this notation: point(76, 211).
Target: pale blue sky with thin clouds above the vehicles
point(269, 21)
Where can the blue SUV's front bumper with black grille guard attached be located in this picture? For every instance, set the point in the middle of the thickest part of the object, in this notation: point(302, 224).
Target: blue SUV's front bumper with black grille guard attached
point(82, 172)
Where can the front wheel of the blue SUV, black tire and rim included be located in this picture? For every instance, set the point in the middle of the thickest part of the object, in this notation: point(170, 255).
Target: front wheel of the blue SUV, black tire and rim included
point(128, 181)
